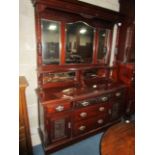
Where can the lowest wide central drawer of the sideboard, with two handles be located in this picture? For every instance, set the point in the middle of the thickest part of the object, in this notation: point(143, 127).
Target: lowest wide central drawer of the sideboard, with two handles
point(88, 125)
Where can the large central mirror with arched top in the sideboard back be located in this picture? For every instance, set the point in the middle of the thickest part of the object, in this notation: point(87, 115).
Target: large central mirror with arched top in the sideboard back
point(79, 43)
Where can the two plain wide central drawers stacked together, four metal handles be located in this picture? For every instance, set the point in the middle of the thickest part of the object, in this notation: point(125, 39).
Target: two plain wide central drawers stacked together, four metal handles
point(90, 117)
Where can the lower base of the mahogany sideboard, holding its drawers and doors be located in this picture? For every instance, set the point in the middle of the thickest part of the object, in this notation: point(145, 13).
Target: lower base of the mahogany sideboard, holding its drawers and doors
point(81, 119)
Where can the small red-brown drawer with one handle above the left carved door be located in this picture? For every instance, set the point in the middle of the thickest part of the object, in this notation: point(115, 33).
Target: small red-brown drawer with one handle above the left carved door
point(59, 107)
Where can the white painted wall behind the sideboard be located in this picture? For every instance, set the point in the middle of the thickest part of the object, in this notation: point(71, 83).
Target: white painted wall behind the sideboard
point(27, 56)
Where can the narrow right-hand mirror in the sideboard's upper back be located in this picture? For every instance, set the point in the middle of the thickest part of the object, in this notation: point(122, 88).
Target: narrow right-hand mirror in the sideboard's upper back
point(104, 45)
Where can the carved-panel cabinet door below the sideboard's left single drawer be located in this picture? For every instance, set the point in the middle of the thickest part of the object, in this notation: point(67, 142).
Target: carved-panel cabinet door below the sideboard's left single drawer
point(60, 128)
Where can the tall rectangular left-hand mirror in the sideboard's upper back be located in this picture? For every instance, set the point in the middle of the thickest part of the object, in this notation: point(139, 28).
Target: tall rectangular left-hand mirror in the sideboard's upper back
point(50, 41)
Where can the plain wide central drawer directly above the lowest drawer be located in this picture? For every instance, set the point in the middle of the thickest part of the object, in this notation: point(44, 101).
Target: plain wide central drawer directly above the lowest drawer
point(92, 111)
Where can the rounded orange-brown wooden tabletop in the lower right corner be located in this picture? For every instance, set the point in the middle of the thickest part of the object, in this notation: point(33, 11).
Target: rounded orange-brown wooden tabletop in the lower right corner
point(119, 139)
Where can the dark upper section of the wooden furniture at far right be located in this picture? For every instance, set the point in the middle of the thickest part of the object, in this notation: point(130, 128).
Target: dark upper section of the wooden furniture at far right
point(126, 46)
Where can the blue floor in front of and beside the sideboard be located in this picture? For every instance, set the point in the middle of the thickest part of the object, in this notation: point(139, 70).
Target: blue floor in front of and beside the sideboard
point(89, 146)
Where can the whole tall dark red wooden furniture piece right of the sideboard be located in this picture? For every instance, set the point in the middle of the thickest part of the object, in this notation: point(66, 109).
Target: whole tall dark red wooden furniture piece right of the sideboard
point(125, 58)
